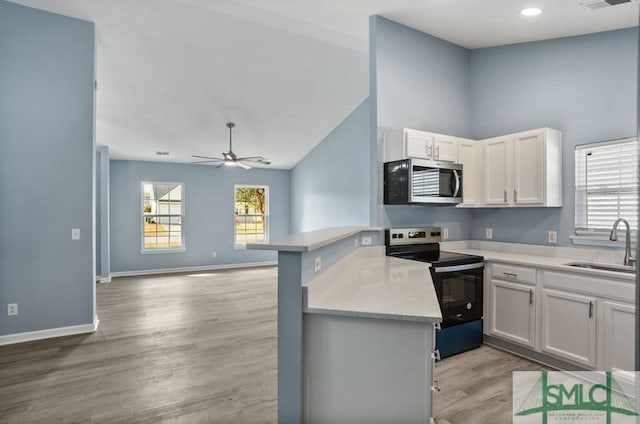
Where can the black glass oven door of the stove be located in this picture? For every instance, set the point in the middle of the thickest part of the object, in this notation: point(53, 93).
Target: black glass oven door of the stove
point(460, 292)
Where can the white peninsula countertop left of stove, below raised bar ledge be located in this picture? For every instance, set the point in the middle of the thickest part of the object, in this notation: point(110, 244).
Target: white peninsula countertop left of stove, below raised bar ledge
point(369, 284)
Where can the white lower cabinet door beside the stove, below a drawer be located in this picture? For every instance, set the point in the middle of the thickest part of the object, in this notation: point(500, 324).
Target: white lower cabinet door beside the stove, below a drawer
point(513, 312)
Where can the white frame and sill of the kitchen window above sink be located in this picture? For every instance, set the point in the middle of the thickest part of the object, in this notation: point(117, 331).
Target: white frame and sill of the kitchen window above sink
point(600, 237)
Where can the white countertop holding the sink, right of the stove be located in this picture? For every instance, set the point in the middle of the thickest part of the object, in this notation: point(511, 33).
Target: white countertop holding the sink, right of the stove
point(551, 262)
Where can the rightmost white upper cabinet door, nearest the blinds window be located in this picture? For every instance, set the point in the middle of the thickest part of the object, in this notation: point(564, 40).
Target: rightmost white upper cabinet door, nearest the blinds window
point(528, 168)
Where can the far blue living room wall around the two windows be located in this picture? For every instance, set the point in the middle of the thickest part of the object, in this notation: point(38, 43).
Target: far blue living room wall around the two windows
point(208, 209)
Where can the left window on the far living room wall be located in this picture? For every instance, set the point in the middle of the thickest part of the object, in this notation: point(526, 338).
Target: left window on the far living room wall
point(162, 216)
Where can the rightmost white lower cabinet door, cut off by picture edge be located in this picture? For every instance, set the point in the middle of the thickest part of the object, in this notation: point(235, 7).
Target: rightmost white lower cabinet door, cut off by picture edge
point(619, 328)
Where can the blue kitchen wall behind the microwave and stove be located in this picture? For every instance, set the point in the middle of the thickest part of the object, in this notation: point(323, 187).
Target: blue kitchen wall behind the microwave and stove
point(420, 82)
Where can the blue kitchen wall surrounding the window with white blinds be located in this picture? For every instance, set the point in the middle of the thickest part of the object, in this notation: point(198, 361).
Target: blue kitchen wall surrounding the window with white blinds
point(584, 86)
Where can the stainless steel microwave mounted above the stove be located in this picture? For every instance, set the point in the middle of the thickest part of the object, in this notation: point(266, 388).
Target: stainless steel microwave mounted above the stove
point(422, 181)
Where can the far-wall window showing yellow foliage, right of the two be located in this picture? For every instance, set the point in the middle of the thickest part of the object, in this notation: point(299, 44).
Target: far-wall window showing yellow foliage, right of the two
point(251, 214)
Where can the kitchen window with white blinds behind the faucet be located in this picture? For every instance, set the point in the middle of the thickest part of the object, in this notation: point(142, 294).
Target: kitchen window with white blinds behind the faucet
point(606, 187)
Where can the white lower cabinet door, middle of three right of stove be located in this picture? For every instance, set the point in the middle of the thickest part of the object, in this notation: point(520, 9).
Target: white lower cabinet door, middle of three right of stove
point(569, 326)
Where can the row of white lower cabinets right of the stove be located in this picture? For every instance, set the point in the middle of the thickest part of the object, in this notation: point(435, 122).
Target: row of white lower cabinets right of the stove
point(581, 319)
